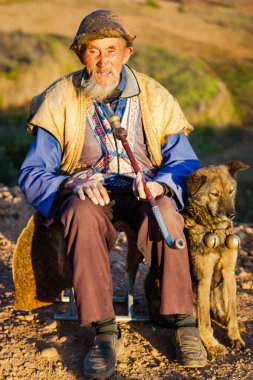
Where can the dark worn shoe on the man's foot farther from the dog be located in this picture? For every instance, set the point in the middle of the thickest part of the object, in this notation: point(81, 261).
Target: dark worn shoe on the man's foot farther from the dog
point(101, 359)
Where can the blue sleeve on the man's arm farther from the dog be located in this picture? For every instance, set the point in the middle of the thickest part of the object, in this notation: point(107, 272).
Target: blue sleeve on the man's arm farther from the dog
point(38, 177)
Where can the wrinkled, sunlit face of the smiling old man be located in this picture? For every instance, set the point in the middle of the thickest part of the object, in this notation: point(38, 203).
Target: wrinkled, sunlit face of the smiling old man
point(104, 59)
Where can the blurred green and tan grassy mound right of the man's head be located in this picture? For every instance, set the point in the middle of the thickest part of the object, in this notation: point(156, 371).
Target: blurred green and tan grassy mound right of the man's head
point(201, 94)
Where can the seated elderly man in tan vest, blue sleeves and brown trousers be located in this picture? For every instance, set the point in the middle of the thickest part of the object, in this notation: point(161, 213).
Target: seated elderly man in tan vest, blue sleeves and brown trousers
point(75, 156)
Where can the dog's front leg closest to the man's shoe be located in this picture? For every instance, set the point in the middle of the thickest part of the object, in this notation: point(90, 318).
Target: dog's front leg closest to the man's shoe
point(203, 306)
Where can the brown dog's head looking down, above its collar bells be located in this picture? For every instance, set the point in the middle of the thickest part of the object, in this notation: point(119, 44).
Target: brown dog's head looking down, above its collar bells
point(211, 192)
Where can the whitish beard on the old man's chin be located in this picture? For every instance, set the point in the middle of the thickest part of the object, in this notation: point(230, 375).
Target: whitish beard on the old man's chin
point(95, 91)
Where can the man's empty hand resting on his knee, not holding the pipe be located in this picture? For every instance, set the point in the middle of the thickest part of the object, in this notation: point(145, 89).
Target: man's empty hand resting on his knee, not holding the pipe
point(92, 188)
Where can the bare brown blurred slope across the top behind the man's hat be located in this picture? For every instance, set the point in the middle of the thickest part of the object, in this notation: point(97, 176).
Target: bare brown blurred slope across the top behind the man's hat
point(190, 28)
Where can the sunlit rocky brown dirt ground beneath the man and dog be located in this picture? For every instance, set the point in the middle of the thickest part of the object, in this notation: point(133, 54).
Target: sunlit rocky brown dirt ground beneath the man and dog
point(35, 346)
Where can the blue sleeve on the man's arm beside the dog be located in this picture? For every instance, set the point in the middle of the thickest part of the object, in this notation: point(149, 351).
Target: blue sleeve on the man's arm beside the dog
point(179, 160)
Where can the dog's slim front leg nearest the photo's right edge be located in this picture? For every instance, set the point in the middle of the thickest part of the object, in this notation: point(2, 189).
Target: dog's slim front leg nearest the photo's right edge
point(229, 297)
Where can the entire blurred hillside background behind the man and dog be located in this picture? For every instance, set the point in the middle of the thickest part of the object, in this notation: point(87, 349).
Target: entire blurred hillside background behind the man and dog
point(200, 50)
